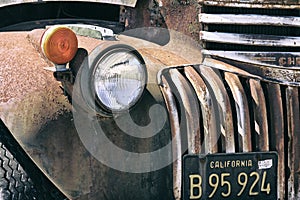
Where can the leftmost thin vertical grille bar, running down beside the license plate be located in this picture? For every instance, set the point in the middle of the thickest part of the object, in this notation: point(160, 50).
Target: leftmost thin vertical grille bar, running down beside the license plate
point(175, 130)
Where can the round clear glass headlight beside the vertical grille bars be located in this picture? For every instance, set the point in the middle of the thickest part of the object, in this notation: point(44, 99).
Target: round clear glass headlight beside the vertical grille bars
point(119, 79)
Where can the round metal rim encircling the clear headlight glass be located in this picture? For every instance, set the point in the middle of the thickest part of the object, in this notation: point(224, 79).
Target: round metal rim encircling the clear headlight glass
point(105, 52)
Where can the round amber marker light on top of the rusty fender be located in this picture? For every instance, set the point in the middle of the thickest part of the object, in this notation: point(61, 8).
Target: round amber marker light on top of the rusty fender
point(59, 44)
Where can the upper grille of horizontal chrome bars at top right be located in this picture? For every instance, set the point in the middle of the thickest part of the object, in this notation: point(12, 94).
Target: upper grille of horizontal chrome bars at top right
point(250, 28)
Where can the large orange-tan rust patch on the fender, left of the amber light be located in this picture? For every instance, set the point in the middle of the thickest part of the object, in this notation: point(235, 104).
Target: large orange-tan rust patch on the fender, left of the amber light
point(29, 95)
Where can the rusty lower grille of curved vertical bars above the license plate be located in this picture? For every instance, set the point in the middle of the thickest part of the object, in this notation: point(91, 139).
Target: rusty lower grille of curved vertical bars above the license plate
point(234, 111)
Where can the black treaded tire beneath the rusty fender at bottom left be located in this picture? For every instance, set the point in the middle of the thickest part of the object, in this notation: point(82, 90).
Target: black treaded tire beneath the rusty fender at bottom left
point(20, 178)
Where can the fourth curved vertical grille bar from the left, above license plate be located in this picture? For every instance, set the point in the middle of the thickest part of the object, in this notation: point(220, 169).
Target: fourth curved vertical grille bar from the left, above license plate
point(222, 105)
